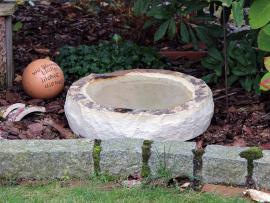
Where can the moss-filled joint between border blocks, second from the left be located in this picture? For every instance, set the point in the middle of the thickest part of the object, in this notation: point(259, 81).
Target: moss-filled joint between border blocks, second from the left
point(146, 153)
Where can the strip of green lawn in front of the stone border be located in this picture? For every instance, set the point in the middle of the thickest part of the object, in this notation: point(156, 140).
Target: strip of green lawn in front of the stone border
point(89, 192)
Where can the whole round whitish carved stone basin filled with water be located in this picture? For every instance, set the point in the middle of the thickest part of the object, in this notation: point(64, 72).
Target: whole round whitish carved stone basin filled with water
point(147, 104)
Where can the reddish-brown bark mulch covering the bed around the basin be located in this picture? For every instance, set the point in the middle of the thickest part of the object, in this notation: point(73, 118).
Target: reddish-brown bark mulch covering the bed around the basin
point(49, 26)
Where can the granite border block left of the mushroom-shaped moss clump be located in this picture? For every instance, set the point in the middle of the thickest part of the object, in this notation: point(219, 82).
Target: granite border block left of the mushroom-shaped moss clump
point(222, 164)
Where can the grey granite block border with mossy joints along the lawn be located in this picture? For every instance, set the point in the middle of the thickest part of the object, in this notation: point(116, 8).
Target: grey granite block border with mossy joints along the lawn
point(80, 158)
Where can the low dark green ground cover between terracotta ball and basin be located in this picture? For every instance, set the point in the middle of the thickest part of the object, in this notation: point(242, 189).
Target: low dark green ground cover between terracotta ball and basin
point(107, 57)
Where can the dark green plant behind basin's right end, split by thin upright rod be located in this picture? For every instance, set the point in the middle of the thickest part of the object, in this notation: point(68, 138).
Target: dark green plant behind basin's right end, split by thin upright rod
point(242, 61)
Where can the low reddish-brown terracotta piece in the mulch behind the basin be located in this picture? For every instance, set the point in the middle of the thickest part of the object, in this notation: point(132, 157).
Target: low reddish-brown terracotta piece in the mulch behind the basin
point(192, 55)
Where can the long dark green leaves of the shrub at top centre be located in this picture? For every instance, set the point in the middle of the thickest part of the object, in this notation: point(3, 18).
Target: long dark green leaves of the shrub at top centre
point(176, 19)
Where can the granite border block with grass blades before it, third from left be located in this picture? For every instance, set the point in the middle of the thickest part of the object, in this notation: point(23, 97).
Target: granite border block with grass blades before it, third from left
point(177, 157)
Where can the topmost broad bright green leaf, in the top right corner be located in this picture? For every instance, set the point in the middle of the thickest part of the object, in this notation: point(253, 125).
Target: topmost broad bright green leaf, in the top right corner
point(259, 13)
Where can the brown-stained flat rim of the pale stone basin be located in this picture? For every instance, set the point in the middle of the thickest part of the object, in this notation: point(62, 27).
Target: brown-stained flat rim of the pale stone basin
point(201, 92)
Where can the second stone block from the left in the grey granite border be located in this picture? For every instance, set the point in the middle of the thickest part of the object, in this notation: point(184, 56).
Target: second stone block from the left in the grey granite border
point(121, 157)
